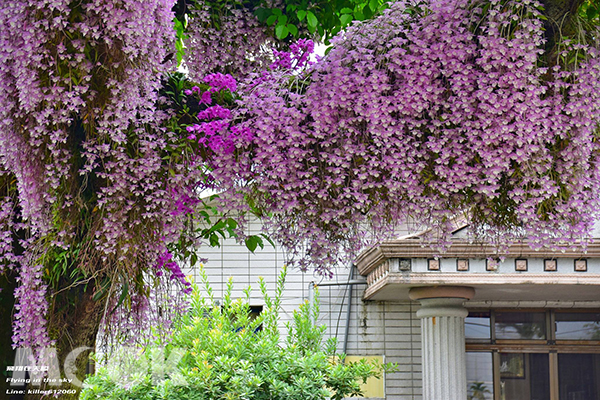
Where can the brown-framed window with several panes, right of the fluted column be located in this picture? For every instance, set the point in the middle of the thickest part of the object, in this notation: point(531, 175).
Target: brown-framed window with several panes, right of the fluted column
point(533, 355)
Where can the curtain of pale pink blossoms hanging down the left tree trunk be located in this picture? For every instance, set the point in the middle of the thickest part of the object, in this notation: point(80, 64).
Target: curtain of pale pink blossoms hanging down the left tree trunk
point(79, 113)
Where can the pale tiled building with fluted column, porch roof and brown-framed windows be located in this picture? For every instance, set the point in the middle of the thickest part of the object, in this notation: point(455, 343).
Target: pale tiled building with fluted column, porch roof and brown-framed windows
point(463, 326)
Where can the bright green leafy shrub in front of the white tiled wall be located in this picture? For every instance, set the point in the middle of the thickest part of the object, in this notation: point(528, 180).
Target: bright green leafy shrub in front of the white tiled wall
point(228, 354)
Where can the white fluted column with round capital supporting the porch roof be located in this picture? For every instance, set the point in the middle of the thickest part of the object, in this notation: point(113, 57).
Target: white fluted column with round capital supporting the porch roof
point(443, 340)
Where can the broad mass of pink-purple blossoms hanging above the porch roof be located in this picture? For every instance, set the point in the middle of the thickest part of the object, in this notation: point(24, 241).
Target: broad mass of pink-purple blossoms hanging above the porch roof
point(423, 114)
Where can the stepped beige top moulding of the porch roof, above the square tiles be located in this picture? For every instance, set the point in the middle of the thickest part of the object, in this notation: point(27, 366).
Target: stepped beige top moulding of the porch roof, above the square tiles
point(368, 260)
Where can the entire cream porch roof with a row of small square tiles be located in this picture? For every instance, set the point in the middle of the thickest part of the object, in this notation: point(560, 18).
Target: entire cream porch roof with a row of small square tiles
point(393, 267)
